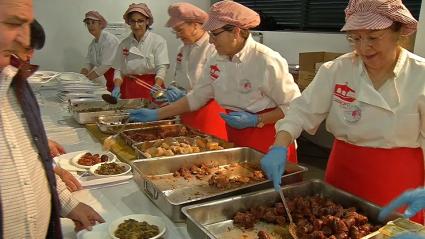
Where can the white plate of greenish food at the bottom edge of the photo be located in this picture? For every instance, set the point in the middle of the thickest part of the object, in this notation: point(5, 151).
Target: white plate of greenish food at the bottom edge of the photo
point(137, 226)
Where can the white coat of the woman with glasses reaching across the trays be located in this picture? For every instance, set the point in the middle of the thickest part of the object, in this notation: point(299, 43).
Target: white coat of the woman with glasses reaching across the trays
point(257, 78)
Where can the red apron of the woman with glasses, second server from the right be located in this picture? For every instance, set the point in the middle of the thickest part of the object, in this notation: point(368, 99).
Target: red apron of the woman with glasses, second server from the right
point(258, 138)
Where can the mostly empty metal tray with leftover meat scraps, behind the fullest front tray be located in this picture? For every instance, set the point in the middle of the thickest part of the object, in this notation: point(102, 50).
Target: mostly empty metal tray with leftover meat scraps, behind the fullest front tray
point(155, 178)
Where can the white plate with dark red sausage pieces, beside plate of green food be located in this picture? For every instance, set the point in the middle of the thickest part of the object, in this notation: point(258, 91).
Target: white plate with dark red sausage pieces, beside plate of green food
point(87, 159)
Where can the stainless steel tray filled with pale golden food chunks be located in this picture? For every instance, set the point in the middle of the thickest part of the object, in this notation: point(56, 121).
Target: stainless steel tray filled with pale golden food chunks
point(143, 148)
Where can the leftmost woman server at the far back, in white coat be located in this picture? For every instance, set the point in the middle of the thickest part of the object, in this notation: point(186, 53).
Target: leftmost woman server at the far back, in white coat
point(101, 52)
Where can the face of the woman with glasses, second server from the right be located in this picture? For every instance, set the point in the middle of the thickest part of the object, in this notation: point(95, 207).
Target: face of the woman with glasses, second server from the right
point(223, 40)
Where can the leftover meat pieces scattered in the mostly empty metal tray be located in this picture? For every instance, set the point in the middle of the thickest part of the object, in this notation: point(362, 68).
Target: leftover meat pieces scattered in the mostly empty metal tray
point(219, 178)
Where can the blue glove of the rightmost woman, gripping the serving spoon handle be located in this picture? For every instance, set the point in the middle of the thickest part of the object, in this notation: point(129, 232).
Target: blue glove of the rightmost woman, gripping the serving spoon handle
point(273, 164)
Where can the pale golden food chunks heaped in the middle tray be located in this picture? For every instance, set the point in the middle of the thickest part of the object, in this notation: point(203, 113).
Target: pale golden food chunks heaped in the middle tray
point(179, 145)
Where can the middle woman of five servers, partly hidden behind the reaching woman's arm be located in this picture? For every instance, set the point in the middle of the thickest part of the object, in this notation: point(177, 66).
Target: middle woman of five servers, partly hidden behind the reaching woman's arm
point(186, 21)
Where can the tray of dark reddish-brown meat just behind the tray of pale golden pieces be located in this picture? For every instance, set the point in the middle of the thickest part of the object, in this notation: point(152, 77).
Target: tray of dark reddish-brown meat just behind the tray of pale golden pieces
point(156, 131)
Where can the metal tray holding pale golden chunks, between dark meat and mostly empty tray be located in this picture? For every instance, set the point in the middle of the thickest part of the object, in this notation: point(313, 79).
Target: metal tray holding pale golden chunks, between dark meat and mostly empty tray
point(141, 148)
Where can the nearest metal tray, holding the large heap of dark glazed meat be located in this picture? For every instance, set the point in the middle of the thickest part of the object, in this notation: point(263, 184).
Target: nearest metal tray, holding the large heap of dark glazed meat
point(214, 219)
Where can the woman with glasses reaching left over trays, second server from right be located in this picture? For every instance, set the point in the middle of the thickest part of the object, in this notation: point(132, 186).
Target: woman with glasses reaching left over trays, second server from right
point(251, 81)
